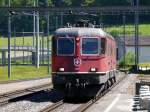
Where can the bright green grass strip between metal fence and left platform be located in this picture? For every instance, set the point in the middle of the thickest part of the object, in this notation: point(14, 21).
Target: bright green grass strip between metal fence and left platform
point(23, 72)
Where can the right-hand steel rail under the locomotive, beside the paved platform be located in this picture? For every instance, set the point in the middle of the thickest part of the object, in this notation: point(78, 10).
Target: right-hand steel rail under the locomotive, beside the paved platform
point(85, 106)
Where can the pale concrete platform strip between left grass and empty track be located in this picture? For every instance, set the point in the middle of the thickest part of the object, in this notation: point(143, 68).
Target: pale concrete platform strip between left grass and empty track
point(10, 87)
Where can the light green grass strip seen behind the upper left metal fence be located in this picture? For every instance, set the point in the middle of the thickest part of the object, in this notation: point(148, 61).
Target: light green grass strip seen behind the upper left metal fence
point(28, 41)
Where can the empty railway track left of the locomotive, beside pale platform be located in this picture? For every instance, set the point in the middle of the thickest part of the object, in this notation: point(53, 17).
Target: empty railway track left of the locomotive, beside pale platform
point(10, 96)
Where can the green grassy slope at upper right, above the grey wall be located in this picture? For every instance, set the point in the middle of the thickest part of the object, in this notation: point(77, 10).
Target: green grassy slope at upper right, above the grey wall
point(144, 29)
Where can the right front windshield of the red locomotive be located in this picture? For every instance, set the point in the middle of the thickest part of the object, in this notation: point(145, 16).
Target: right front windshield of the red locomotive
point(90, 46)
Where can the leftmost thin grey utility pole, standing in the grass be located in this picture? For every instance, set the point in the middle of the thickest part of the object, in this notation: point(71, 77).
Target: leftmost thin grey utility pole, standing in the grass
point(9, 43)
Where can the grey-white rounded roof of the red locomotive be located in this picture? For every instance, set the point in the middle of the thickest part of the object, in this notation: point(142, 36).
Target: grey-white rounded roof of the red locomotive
point(81, 32)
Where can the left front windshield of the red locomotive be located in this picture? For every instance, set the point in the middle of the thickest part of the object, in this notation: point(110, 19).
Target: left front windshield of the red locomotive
point(65, 46)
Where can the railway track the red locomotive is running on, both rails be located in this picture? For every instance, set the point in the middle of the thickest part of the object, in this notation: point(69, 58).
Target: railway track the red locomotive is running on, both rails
point(84, 106)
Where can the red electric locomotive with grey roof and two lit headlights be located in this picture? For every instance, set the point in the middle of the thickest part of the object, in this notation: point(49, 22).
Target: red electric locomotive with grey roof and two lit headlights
point(82, 58)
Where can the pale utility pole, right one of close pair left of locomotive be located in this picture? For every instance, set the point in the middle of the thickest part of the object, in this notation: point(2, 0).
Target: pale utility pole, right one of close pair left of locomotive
point(37, 38)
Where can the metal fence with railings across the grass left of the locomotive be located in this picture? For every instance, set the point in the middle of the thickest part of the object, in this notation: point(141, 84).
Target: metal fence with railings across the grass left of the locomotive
point(23, 50)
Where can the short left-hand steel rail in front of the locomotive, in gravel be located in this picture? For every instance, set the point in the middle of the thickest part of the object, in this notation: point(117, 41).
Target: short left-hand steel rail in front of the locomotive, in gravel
point(53, 106)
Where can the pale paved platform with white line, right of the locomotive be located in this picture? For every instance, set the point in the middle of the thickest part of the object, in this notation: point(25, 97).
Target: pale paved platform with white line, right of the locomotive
point(120, 99)
